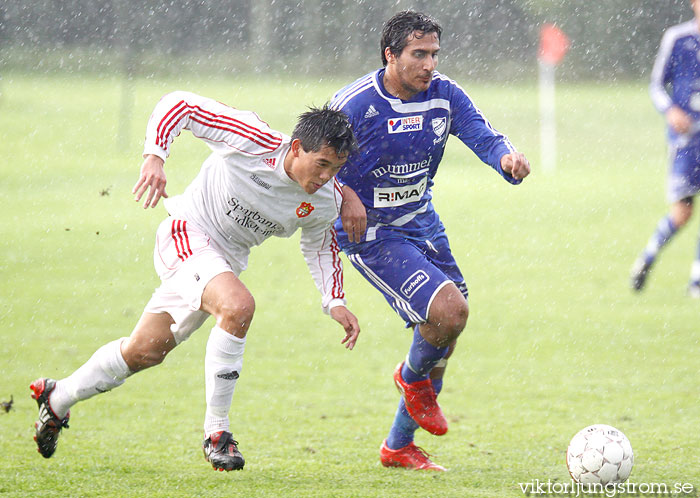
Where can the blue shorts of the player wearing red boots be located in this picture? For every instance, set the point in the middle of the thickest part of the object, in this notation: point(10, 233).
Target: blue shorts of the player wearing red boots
point(409, 273)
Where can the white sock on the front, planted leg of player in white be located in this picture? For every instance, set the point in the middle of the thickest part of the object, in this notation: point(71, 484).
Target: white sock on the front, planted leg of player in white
point(222, 366)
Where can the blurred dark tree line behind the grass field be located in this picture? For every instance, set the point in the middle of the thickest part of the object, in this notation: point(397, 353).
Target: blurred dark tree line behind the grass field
point(484, 39)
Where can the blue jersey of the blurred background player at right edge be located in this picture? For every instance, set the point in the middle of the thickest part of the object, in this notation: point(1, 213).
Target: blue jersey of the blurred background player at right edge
point(675, 78)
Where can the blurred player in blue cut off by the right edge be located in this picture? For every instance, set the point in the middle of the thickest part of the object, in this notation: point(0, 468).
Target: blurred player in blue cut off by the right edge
point(675, 92)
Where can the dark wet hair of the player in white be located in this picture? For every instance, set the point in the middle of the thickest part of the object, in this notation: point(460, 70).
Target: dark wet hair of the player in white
point(325, 126)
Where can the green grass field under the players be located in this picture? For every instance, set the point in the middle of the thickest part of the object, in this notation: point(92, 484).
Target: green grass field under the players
point(555, 341)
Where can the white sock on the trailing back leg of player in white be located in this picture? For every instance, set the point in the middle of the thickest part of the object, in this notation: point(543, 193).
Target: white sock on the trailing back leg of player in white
point(105, 370)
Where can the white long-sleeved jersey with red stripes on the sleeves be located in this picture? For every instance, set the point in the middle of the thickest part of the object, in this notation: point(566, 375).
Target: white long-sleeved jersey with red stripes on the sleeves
point(242, 195)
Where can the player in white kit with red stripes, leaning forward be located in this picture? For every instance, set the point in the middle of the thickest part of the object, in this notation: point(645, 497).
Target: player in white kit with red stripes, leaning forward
point(256, 183)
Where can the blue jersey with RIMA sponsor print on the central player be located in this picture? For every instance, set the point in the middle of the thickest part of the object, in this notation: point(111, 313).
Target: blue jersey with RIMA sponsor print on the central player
point(401, 145)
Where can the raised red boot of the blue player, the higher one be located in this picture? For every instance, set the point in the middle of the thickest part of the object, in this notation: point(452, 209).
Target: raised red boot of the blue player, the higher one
point(421, 403)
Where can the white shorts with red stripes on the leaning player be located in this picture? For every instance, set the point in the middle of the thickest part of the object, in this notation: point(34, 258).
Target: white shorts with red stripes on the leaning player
point(186, 260)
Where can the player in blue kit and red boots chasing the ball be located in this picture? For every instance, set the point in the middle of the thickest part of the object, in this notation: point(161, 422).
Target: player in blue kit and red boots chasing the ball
point(402, 115)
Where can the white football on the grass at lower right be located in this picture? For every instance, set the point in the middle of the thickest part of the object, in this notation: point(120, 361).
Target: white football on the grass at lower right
point(599, 454)
